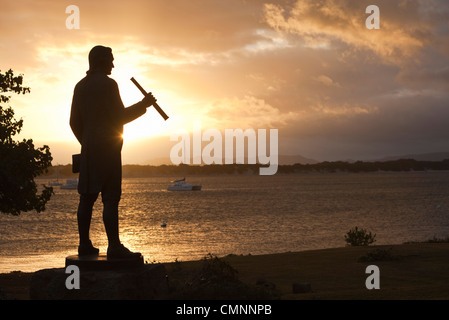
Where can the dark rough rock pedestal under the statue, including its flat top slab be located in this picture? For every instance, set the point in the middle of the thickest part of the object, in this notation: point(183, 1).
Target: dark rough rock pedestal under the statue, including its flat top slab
point(102, 279)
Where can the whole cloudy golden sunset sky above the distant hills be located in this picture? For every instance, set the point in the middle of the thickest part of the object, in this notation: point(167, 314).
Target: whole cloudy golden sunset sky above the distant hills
point(309, 68)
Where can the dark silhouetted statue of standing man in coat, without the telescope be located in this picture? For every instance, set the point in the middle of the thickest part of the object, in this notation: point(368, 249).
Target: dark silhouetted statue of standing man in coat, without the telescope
point(97, 118)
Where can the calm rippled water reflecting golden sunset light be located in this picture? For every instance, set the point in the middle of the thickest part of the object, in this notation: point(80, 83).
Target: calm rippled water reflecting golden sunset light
point(239, 215)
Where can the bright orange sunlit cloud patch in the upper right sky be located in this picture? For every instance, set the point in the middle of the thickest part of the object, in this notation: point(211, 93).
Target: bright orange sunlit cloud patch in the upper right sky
point(320, 23)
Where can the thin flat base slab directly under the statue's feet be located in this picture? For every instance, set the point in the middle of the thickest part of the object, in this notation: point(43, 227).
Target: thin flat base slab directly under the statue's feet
point(102, 262)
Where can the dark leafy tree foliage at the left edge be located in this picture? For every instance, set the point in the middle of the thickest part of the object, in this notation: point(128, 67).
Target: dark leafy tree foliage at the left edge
point(20, 161)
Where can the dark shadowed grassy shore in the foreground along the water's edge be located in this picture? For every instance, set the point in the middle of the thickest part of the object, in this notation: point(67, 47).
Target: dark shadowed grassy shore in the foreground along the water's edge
point(413, 271)
